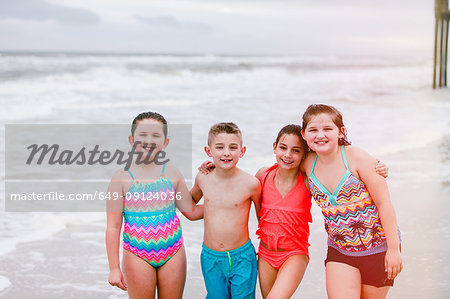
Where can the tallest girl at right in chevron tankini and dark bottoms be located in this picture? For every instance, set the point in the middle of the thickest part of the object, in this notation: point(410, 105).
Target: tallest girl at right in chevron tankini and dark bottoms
point(363, 242)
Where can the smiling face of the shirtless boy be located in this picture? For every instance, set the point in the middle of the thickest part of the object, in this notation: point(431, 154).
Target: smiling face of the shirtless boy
point(225, 149)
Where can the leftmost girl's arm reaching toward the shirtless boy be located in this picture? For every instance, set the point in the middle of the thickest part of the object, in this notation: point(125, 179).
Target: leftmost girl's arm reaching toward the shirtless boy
point(183, 198)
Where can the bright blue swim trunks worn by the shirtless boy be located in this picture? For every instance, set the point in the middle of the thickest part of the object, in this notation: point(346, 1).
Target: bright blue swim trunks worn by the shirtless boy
point(230, 274)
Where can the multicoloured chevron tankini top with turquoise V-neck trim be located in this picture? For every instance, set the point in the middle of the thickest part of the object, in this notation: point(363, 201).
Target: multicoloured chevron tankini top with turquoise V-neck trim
point(351, 217)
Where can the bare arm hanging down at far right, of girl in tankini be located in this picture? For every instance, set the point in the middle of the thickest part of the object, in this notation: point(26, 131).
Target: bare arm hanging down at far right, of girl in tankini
point(379, 192)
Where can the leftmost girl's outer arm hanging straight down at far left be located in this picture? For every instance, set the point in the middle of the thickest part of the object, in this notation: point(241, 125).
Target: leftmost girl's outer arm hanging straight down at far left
point(114, 216)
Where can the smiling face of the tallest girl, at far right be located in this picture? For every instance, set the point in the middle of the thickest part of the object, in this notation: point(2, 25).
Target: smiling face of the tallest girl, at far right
point(321, 133)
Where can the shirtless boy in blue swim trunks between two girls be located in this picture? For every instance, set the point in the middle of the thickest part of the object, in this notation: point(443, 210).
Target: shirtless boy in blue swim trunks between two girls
point(228, 257)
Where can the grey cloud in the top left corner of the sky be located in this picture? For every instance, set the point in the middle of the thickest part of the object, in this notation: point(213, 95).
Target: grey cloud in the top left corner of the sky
point(43, 10)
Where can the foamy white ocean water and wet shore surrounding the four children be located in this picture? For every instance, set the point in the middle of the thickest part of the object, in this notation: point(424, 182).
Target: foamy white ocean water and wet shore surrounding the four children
point(389, 109)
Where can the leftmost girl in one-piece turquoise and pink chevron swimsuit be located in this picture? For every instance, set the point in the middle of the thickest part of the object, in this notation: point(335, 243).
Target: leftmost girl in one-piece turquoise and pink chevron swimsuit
point(153, 255)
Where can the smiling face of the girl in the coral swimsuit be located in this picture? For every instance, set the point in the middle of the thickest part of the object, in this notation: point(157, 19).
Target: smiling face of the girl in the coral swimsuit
point(289, 151)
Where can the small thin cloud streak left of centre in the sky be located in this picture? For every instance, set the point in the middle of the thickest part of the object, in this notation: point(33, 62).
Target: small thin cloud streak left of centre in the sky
point(172, 23)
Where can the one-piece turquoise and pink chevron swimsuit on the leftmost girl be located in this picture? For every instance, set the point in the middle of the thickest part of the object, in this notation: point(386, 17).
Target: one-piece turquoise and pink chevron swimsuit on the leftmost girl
point(152, 230)
